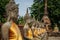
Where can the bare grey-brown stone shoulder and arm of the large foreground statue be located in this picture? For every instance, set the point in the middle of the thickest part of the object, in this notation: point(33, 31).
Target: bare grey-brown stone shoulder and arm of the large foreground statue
point(5, 30)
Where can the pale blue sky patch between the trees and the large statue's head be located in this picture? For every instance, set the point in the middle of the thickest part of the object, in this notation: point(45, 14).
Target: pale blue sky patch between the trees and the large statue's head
point(23, 5)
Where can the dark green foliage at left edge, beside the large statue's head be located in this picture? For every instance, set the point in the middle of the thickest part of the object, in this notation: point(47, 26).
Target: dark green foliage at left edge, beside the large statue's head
point(2, 10)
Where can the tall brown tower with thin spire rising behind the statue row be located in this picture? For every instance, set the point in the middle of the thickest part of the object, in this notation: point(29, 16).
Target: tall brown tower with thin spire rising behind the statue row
point(45, 19)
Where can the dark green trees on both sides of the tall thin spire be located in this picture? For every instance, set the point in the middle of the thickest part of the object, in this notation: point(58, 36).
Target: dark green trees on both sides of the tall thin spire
point(53, 8)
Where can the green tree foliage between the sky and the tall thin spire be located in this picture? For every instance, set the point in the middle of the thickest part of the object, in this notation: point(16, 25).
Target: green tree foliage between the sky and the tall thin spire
point(37, 9)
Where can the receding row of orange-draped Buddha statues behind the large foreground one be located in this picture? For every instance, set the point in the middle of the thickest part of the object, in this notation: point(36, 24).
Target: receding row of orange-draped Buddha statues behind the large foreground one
point(33, 28)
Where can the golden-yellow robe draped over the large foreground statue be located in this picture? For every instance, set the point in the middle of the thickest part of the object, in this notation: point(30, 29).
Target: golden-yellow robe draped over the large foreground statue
point(14, 32)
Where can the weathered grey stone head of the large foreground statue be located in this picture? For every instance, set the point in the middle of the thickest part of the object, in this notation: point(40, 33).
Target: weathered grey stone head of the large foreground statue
point(12, 9)
